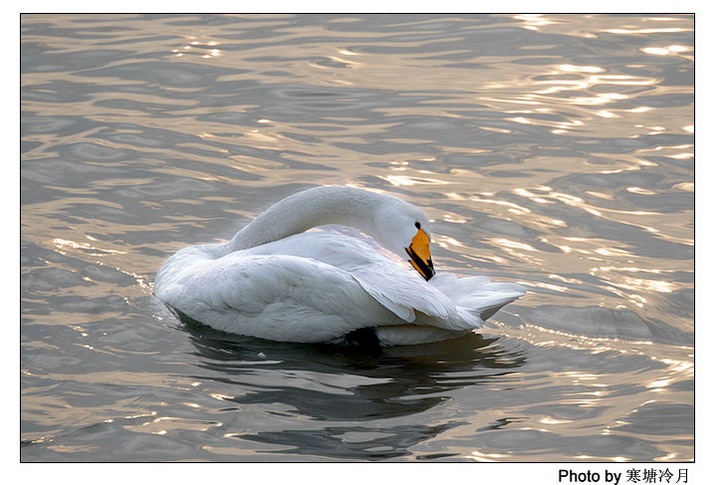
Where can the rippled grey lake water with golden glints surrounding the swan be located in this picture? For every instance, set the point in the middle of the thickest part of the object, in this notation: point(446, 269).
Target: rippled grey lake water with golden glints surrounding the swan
point(555, 151)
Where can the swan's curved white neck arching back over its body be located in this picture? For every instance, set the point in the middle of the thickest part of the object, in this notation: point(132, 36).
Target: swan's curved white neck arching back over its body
point(308, 209)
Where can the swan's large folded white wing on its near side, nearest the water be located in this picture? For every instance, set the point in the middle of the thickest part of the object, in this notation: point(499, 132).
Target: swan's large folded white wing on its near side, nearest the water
point(277, 297)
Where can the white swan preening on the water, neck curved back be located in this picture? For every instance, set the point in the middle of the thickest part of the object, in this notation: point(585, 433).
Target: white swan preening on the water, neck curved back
point(275, 281)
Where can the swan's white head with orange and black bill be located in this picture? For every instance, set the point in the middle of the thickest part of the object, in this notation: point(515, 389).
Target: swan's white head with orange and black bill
point(405, 230)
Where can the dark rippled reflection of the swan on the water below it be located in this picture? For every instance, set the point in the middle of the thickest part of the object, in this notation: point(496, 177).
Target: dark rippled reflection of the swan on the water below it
point(355, 389)
